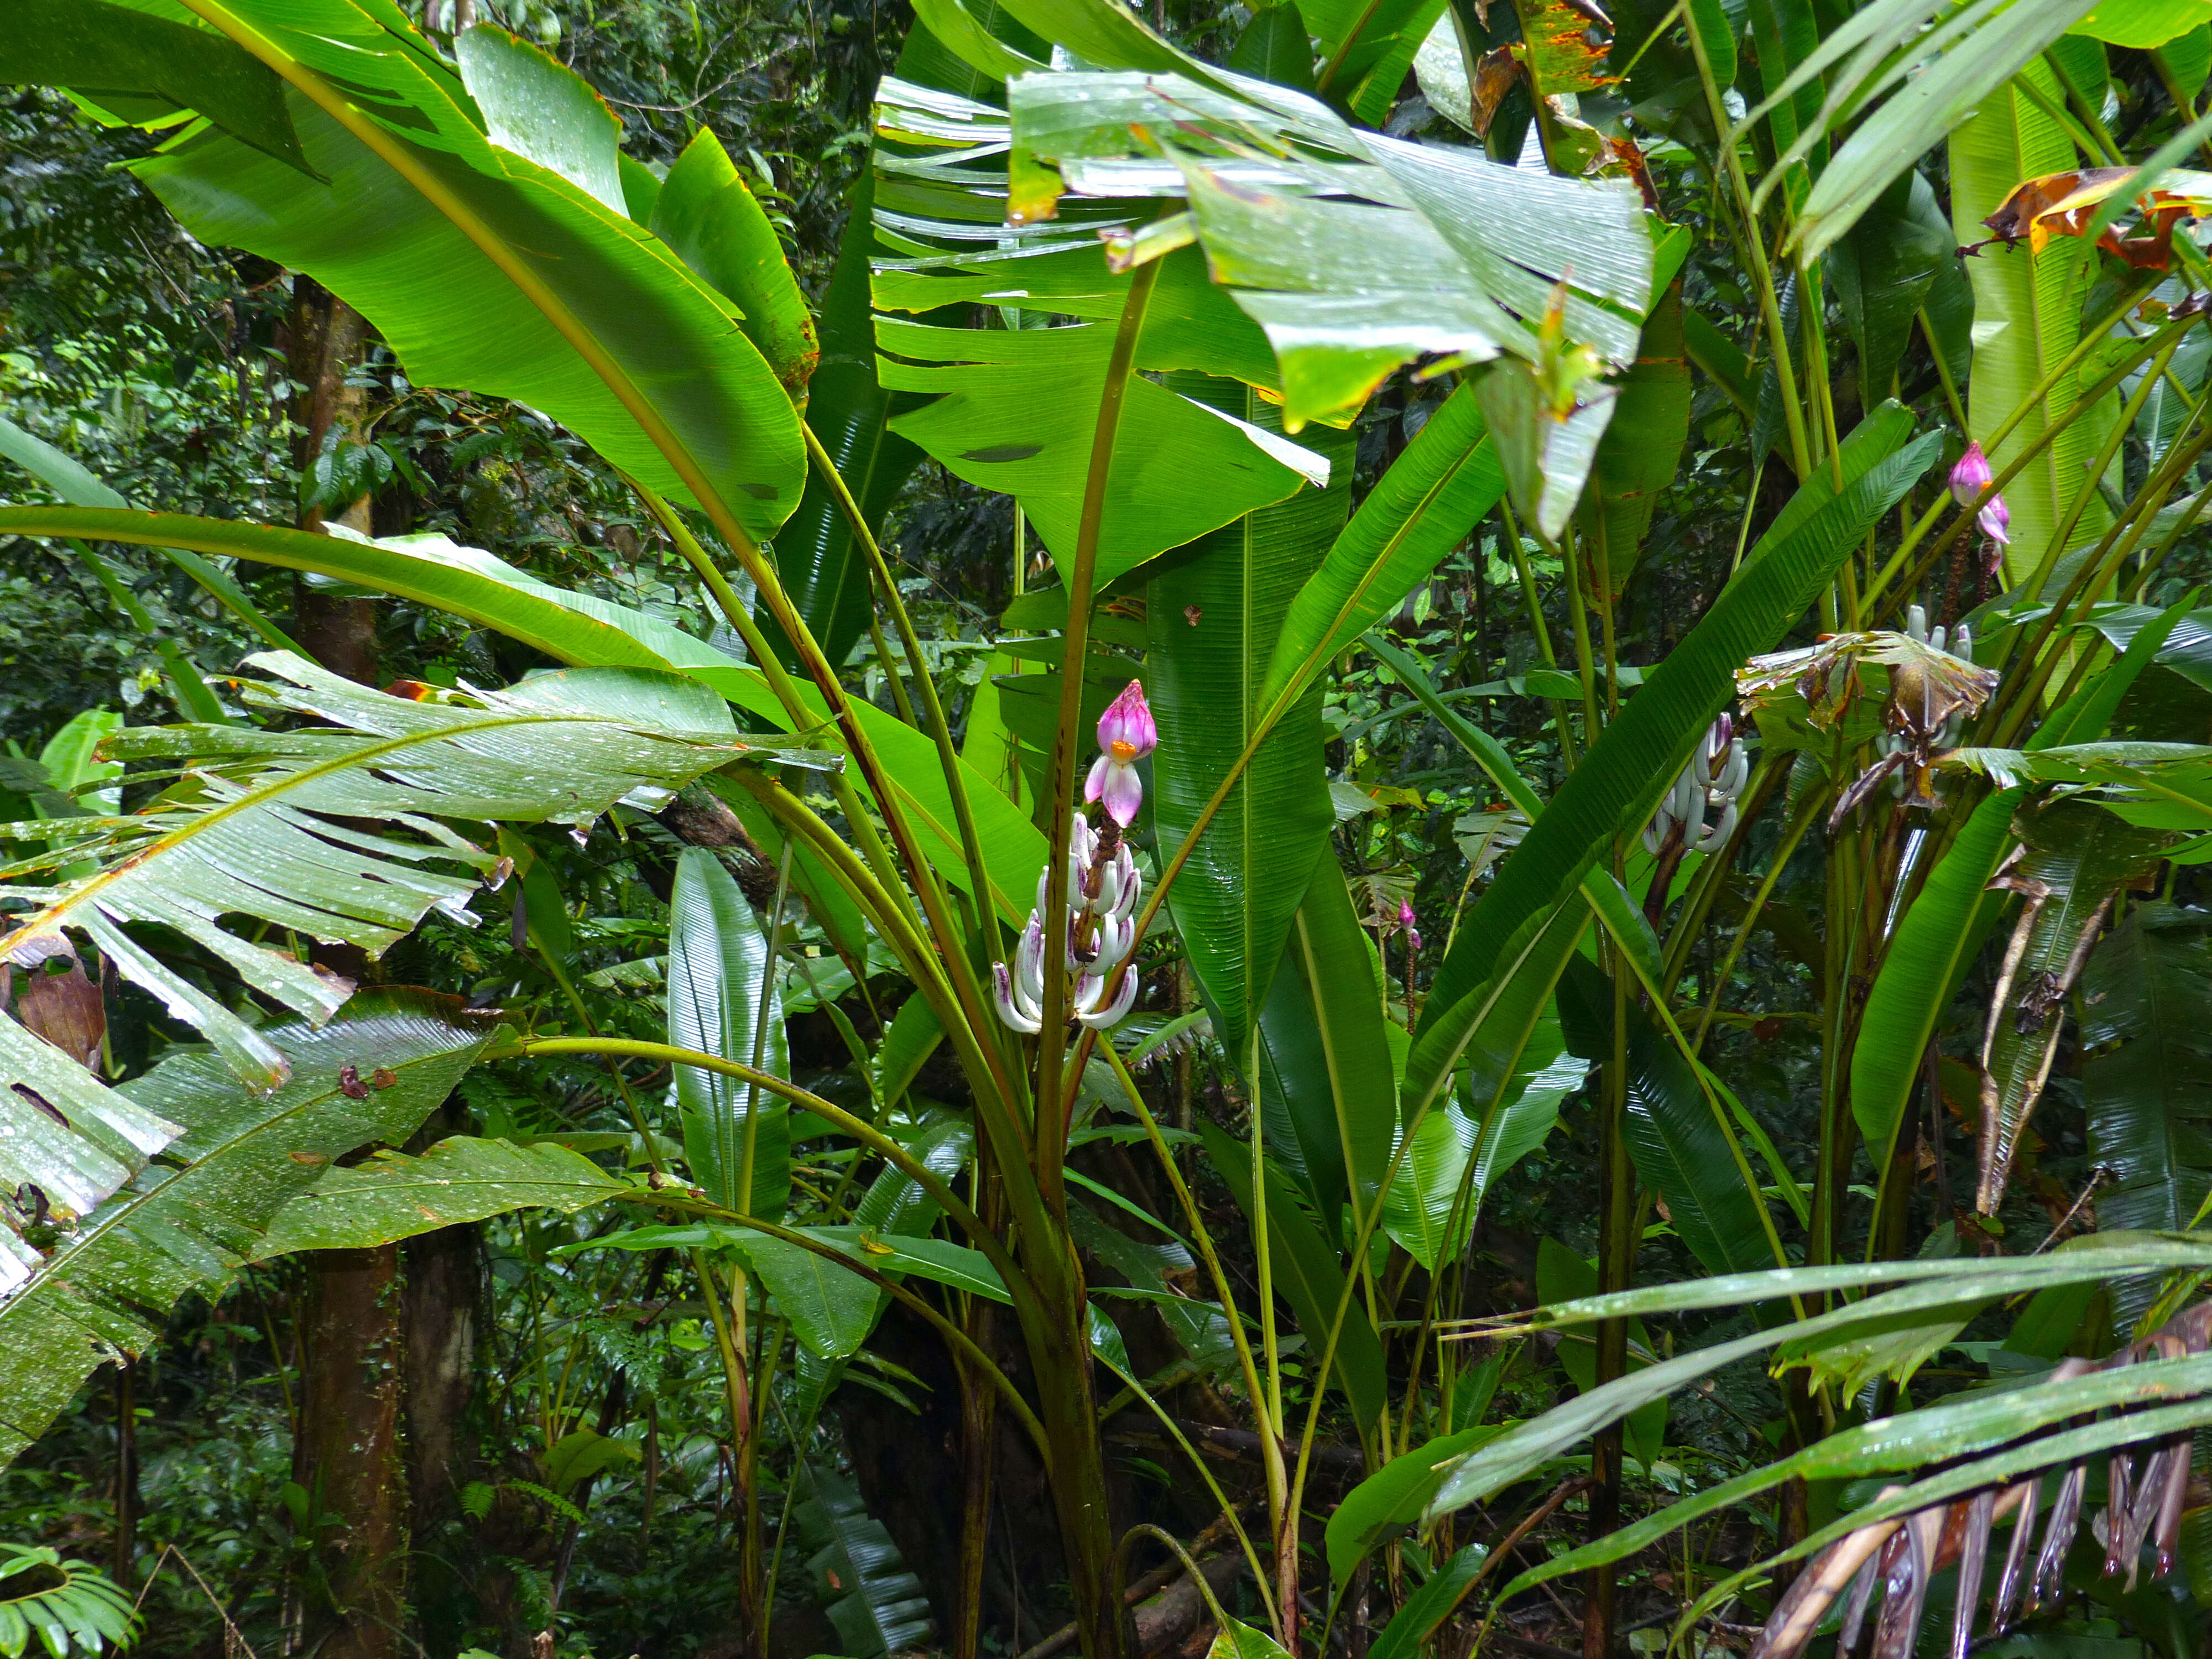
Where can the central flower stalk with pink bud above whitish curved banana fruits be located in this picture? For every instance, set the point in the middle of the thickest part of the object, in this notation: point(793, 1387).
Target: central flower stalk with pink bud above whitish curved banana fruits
point(1103, 888)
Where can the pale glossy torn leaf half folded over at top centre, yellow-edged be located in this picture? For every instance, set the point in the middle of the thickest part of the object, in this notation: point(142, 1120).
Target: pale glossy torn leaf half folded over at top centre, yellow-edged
point(1439, 253)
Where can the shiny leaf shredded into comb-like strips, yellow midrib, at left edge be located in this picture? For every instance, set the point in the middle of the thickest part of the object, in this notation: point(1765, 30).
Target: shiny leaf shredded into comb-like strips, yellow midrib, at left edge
point(262, 824)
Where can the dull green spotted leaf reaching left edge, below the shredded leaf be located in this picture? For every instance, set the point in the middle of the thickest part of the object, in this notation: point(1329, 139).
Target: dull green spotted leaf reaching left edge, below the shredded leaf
point(242, 1158)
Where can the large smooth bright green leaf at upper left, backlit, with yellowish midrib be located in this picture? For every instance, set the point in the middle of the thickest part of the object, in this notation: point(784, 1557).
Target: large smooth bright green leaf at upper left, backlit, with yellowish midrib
point(477, 220)
